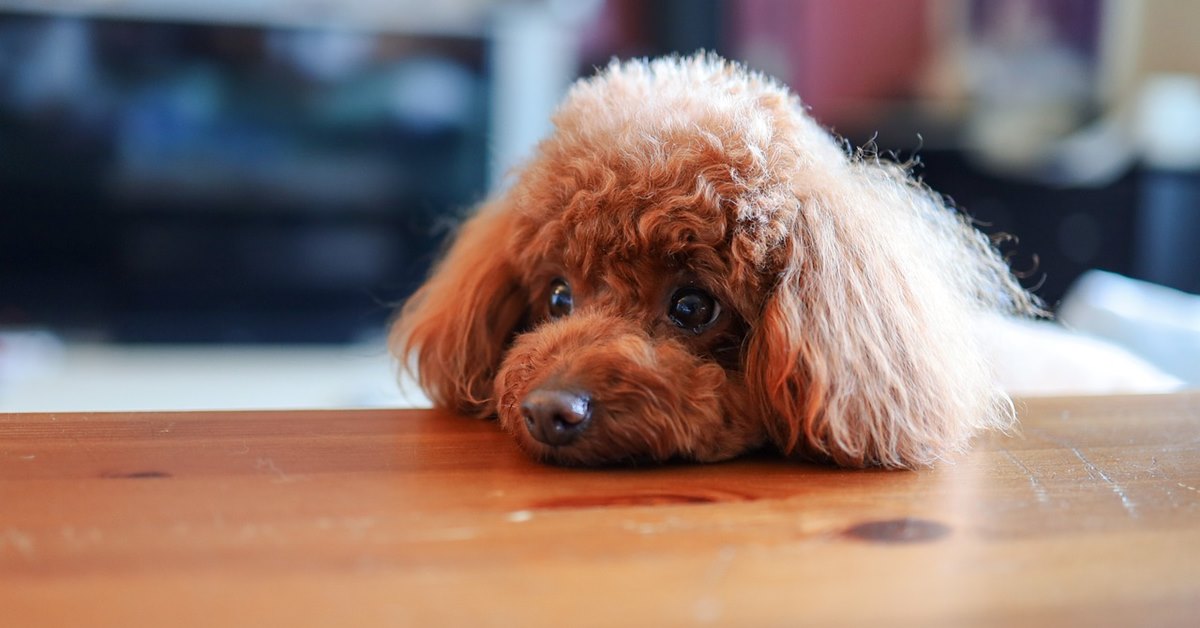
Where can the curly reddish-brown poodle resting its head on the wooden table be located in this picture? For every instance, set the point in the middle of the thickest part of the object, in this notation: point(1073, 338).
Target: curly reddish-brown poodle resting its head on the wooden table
point(692, 268)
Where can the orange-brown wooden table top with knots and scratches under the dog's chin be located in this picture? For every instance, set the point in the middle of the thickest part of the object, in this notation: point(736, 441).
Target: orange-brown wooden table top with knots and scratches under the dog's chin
point(352, 518)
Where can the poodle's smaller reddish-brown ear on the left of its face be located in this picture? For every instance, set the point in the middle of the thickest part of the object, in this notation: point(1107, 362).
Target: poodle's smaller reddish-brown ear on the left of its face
point(453, 332)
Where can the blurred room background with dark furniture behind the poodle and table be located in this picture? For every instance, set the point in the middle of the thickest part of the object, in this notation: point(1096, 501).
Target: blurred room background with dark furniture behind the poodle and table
point(219, 204)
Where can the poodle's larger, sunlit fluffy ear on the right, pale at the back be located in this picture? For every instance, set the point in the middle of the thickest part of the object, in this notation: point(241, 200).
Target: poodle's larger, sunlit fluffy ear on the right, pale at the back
point(865, 354)
